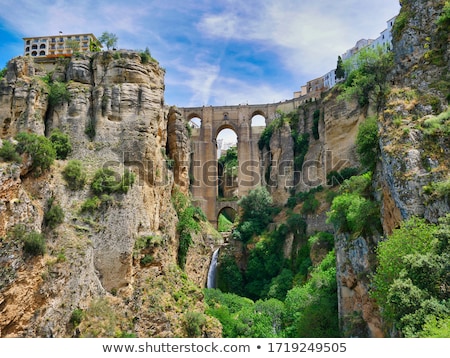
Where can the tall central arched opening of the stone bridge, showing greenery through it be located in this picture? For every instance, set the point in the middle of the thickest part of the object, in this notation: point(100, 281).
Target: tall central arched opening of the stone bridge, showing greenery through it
point(227, 164)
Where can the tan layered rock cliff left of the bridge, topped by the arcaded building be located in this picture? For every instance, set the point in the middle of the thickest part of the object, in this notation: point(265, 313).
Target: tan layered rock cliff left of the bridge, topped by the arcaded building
point(113, 110)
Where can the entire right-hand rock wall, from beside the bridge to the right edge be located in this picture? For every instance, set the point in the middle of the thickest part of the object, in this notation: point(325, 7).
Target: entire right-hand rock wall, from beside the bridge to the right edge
point(413, 156)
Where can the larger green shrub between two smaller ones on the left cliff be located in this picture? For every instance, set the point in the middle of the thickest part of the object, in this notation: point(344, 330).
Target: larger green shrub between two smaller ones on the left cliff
point(39, 148)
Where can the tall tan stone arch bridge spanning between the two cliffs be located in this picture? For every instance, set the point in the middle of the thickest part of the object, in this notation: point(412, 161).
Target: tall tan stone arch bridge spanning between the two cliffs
point(204, 170)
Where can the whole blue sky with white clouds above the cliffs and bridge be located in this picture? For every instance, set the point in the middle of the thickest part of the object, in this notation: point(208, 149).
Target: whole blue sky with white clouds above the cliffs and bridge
point(215, 52)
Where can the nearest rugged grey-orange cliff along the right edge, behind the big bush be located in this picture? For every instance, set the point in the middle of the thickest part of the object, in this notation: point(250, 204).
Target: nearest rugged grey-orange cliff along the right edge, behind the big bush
point(412, 158)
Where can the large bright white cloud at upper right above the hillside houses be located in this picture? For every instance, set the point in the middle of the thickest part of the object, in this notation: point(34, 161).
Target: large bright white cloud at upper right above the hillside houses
point(307, 35)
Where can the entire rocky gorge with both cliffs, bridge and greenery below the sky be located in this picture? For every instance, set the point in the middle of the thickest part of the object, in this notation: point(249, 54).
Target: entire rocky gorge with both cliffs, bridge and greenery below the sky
point(105, 231)
